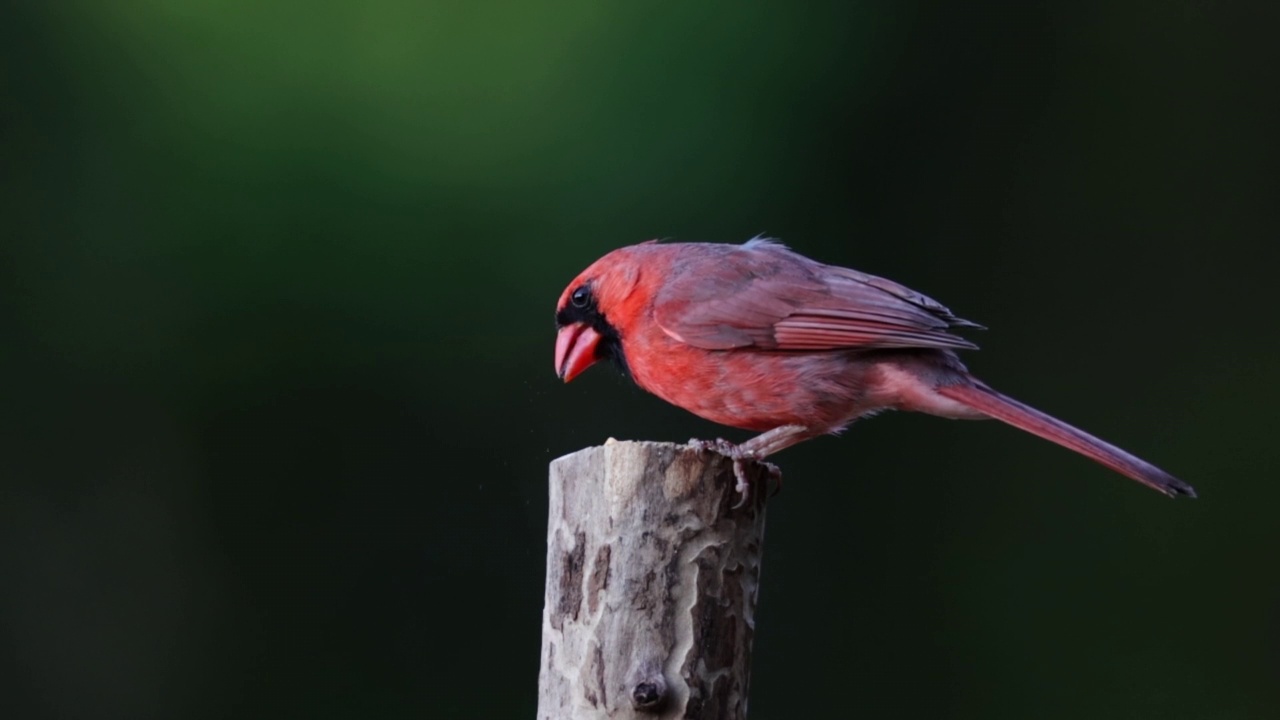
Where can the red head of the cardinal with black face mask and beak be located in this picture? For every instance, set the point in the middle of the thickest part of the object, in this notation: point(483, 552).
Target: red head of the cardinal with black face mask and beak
point(596, 311)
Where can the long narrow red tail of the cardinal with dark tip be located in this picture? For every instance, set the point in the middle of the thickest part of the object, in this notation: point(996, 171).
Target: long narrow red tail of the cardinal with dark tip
point(1027, 418)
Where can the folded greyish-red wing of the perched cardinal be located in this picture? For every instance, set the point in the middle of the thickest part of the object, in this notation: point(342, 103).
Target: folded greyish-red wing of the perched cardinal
point(764, 295)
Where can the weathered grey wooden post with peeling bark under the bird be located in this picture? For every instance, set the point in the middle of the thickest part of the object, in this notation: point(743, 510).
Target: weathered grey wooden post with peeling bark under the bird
point(652, 580)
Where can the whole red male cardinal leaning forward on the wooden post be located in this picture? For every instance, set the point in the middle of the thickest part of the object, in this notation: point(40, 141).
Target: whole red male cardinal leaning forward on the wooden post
point(758, 338)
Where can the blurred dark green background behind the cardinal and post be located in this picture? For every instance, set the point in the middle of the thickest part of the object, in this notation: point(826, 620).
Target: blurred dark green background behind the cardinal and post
point(276, 295)
